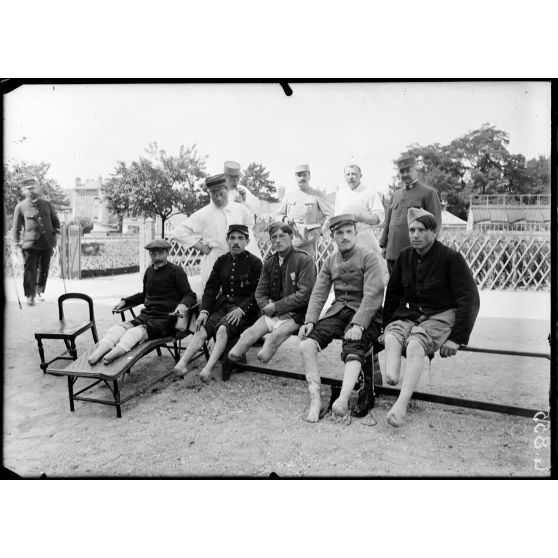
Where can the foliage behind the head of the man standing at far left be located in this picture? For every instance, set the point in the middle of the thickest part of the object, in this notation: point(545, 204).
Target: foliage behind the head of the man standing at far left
point(17, 172)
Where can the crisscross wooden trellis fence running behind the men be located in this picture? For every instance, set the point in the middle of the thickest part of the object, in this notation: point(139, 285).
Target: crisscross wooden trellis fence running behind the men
point(511, 262)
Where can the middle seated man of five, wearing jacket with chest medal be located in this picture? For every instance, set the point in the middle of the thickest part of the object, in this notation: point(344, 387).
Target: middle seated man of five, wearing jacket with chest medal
point(282, 294)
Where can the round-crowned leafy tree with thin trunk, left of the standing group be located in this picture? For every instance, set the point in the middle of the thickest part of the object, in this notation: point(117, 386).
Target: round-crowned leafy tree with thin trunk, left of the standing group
point(158, 184)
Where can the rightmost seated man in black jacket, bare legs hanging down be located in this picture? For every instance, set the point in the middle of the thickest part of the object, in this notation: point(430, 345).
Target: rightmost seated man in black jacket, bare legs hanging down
point(431, 303)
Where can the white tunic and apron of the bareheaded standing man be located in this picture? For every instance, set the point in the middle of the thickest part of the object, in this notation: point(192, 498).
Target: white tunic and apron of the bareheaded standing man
point(361, 200)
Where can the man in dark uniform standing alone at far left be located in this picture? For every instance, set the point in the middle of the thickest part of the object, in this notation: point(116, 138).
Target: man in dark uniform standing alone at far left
point(41, 228)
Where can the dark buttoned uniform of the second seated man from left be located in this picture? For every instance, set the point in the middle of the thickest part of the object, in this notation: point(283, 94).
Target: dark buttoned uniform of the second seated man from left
point(231, 285)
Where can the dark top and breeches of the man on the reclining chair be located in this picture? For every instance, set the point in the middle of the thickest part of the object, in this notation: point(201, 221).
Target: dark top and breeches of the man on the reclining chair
point(163, 290)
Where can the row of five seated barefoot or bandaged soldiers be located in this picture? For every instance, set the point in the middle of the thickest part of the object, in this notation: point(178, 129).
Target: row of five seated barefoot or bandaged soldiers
point(431, 304)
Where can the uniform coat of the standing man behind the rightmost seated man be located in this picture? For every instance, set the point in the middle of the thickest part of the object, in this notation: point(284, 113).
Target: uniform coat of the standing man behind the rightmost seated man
point(395, 236)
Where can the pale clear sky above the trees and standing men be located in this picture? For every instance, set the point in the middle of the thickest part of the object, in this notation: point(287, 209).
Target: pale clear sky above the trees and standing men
point(84, 130)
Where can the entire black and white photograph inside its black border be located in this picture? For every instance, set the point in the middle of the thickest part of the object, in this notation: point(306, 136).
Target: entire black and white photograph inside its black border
point(328, 279)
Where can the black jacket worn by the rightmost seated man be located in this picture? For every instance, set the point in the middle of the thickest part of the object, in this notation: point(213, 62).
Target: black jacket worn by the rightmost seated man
point(430, 284)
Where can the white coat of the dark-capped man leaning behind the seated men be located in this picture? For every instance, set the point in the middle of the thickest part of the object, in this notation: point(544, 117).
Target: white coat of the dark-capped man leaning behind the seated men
point(210, 225)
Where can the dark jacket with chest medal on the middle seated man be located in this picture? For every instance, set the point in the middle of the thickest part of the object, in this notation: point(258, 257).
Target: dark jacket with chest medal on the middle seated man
point(288, 285)
